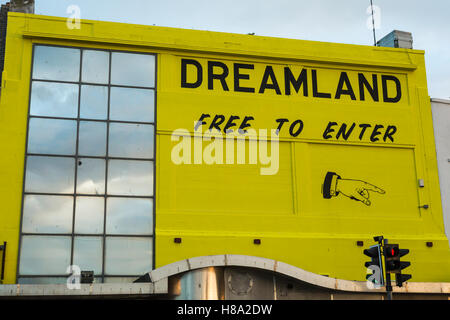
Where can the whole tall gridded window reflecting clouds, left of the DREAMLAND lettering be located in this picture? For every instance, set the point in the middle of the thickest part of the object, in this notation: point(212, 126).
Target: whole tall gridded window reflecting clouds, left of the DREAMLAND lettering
point(89, 174)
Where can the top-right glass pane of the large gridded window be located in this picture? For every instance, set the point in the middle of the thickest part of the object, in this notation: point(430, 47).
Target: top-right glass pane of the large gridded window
point(132, 69)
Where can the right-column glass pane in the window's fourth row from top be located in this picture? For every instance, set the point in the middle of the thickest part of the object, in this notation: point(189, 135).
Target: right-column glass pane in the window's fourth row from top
point(128, 177)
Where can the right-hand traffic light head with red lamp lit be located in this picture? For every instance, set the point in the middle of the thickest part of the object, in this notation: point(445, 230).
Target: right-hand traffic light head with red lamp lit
point(392, 255)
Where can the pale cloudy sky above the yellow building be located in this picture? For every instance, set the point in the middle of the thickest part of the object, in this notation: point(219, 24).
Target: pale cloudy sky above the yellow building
point(342, 21)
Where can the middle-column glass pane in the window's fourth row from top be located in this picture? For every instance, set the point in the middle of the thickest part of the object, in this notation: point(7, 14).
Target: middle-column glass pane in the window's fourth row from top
point(91, 176)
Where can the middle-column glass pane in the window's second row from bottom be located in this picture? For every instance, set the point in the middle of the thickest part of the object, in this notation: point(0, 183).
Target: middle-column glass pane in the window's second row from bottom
point(89, 214)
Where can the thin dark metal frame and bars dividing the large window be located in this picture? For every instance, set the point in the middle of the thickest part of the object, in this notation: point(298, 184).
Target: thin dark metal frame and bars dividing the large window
point(78, 156)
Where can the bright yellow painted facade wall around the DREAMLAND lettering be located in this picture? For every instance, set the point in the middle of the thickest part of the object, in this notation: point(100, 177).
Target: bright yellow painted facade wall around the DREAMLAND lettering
point(221, 208)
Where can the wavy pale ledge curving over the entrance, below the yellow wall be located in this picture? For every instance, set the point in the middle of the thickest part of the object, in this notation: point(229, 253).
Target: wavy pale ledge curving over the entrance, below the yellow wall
point(285, 269)
